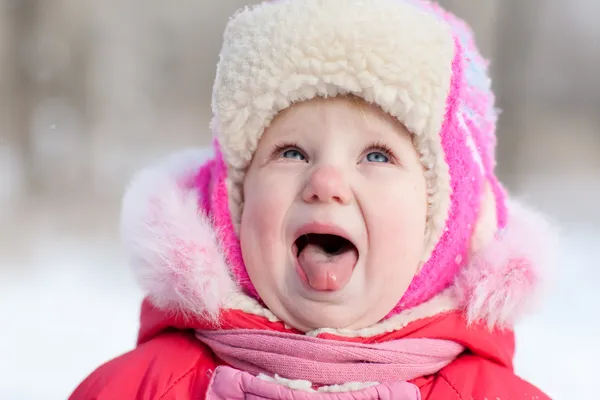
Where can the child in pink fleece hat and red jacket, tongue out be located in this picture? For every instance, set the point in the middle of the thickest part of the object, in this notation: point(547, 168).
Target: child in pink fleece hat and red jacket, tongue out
point(346, 237)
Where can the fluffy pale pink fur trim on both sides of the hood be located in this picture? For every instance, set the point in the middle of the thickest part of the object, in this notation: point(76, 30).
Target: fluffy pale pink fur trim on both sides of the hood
point(176, 257)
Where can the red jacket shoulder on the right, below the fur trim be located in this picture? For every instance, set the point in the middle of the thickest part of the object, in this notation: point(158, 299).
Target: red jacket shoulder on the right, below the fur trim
point(477, 378)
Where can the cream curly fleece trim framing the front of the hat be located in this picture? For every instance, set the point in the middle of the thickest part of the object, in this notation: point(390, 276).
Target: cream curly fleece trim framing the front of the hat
point(388, 52)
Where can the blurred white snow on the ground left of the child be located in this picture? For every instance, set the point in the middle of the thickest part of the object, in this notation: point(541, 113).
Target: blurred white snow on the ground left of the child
point(68, 303)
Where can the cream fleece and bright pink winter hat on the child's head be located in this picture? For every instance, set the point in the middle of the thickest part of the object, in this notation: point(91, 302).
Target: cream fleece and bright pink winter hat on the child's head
point(412, 59)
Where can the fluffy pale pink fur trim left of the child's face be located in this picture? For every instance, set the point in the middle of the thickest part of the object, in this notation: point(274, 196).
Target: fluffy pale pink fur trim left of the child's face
point(172, 248)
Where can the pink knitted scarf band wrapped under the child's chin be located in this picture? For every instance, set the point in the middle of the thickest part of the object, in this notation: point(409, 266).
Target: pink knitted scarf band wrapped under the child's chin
point(328, 362)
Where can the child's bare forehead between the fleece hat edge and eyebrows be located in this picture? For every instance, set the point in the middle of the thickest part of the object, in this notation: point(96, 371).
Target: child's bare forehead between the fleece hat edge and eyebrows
point(348, 112)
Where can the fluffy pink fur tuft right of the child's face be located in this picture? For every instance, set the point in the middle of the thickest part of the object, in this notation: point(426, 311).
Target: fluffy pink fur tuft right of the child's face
point(505, 279)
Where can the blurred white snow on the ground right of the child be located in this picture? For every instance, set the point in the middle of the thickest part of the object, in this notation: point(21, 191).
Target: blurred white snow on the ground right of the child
point(556, 347)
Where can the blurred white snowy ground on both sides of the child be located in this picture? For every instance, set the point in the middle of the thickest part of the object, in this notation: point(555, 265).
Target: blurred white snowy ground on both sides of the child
point(68, 303)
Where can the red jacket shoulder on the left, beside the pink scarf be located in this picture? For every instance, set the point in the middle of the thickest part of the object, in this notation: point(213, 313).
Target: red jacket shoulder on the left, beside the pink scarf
point(172, 365)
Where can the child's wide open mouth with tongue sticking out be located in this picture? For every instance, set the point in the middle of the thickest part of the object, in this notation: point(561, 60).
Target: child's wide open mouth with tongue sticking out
point(325, 261)
